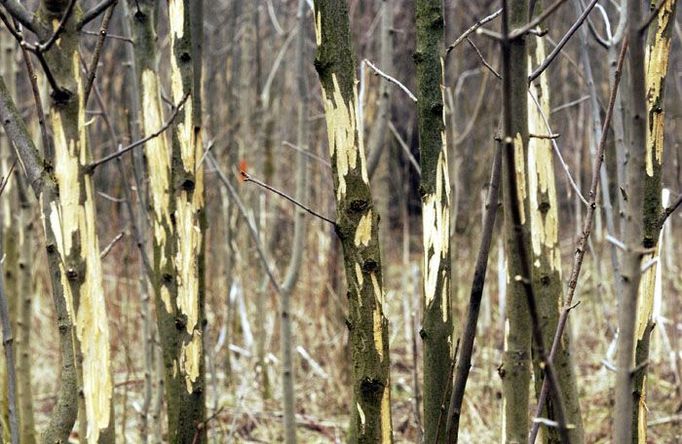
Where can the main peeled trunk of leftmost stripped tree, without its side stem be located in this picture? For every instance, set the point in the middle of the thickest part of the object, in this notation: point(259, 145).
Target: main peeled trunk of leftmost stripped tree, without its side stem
point(72, 220)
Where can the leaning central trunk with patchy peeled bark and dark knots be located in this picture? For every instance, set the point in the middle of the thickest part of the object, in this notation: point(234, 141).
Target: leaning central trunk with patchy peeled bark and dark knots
point(357, 227)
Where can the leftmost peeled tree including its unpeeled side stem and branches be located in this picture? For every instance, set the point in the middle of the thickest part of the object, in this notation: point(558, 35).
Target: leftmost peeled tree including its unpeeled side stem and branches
point(69, 211)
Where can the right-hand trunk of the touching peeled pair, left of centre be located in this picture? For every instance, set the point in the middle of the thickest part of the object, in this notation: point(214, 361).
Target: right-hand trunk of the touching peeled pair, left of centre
point(181, 290)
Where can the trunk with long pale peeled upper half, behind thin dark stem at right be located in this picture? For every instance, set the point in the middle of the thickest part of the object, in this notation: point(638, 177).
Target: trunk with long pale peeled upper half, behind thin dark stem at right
point(546, 253)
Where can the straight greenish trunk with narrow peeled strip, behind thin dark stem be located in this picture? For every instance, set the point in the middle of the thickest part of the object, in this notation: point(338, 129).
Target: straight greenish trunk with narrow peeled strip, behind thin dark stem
point(515, 370)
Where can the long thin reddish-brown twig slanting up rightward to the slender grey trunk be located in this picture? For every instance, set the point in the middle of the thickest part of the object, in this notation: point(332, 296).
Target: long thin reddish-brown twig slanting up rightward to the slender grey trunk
point(582, 242)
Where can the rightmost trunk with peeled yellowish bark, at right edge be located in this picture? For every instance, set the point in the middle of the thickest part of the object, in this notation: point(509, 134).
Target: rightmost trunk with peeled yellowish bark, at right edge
point(657, 55)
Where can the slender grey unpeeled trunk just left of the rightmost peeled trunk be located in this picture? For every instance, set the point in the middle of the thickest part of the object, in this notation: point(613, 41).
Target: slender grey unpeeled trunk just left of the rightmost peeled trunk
point(633, 190)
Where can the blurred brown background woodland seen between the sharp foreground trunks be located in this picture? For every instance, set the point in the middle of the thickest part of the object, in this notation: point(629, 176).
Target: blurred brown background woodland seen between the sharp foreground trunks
point(250, 97)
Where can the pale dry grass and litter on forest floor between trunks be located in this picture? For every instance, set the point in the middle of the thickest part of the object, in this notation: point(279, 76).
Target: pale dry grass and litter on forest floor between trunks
point(240, 414)
